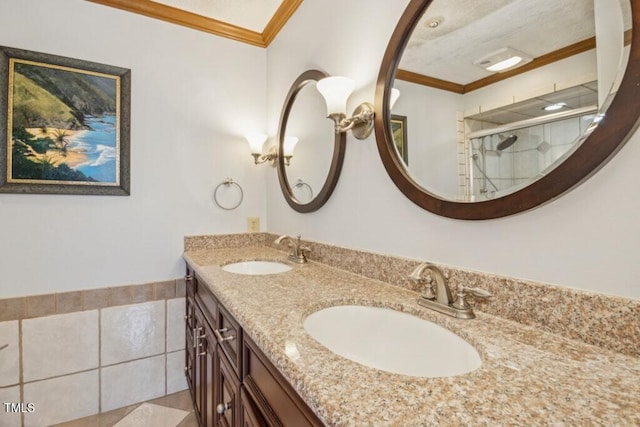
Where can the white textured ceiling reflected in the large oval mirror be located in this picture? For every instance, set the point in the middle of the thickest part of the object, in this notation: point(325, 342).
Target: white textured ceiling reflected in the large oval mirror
point(471, 30)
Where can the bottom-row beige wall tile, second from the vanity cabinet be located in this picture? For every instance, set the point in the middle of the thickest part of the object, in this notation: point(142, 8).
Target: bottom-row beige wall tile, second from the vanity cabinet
point(132, 382)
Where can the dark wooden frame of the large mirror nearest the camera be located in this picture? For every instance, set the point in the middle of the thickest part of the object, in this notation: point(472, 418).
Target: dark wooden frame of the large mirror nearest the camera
point(619, 123)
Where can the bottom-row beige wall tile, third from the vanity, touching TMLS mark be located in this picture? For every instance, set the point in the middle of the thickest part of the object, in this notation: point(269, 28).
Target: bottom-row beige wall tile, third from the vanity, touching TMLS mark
point(62, 399)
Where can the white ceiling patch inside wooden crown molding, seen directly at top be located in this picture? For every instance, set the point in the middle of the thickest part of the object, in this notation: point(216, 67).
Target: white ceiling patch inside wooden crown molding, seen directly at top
point(252, 15)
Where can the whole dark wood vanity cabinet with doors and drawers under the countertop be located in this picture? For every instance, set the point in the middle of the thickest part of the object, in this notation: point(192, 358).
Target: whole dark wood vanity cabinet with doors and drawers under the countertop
point(232, 382)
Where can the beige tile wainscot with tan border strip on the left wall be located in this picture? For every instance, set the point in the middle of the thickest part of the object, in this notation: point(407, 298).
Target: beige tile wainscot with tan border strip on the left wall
point(76, 354)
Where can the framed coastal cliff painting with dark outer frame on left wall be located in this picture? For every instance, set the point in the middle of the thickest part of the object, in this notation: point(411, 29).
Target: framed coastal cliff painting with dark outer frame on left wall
point(64, 125)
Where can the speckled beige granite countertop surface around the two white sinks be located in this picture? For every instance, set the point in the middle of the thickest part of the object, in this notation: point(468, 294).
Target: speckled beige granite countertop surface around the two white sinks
point(528, 377)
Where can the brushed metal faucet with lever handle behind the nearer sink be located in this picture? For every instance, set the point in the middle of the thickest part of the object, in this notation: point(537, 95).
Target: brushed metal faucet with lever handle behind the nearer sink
point(440, 298)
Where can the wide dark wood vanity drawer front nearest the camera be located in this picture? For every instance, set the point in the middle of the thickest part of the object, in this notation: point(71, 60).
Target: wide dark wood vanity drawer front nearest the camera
point(279, 403)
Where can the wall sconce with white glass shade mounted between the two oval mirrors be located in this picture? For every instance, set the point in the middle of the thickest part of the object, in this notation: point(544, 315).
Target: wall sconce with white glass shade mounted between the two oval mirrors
point(336, 90)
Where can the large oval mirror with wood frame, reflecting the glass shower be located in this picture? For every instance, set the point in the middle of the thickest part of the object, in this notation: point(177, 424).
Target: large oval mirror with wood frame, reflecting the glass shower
point(505, 104)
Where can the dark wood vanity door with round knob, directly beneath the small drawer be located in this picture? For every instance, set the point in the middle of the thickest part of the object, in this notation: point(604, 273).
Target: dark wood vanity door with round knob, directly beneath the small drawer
point(227, 392)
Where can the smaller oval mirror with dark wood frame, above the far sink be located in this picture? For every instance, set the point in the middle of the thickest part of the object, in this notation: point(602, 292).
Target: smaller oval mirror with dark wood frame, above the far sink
point(310, 152)
